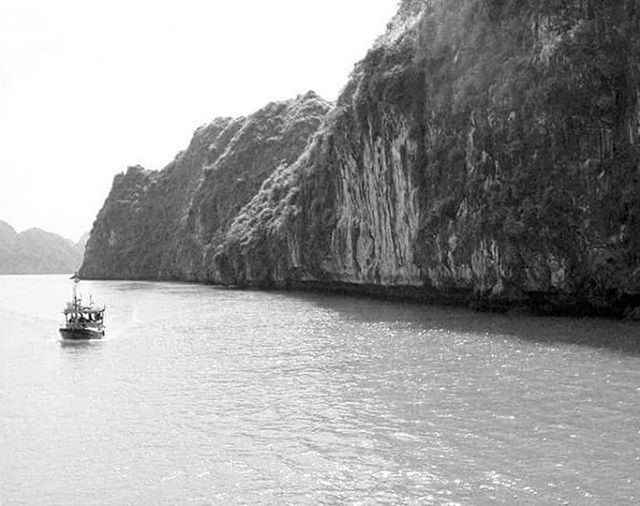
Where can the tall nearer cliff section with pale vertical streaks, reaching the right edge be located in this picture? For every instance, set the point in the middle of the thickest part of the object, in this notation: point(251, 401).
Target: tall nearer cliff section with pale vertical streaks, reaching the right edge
point(486, 150)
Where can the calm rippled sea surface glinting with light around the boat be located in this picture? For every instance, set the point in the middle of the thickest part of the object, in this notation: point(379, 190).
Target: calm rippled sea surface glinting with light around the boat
point(203, 395)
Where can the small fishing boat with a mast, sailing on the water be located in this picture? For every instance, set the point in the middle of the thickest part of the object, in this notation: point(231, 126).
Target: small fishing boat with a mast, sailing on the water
point(82, 321)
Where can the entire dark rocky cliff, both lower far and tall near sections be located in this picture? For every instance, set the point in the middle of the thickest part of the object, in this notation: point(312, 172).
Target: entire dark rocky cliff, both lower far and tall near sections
point(484, 153)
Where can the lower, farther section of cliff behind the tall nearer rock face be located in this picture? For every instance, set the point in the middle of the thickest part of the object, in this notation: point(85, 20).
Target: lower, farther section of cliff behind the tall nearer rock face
point(158, 225)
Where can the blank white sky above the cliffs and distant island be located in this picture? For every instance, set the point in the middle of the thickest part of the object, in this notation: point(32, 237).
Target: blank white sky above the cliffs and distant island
point(89, 87)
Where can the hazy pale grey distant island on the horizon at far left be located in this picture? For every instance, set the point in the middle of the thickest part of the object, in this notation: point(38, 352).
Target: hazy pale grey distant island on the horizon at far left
point(35, 251)
